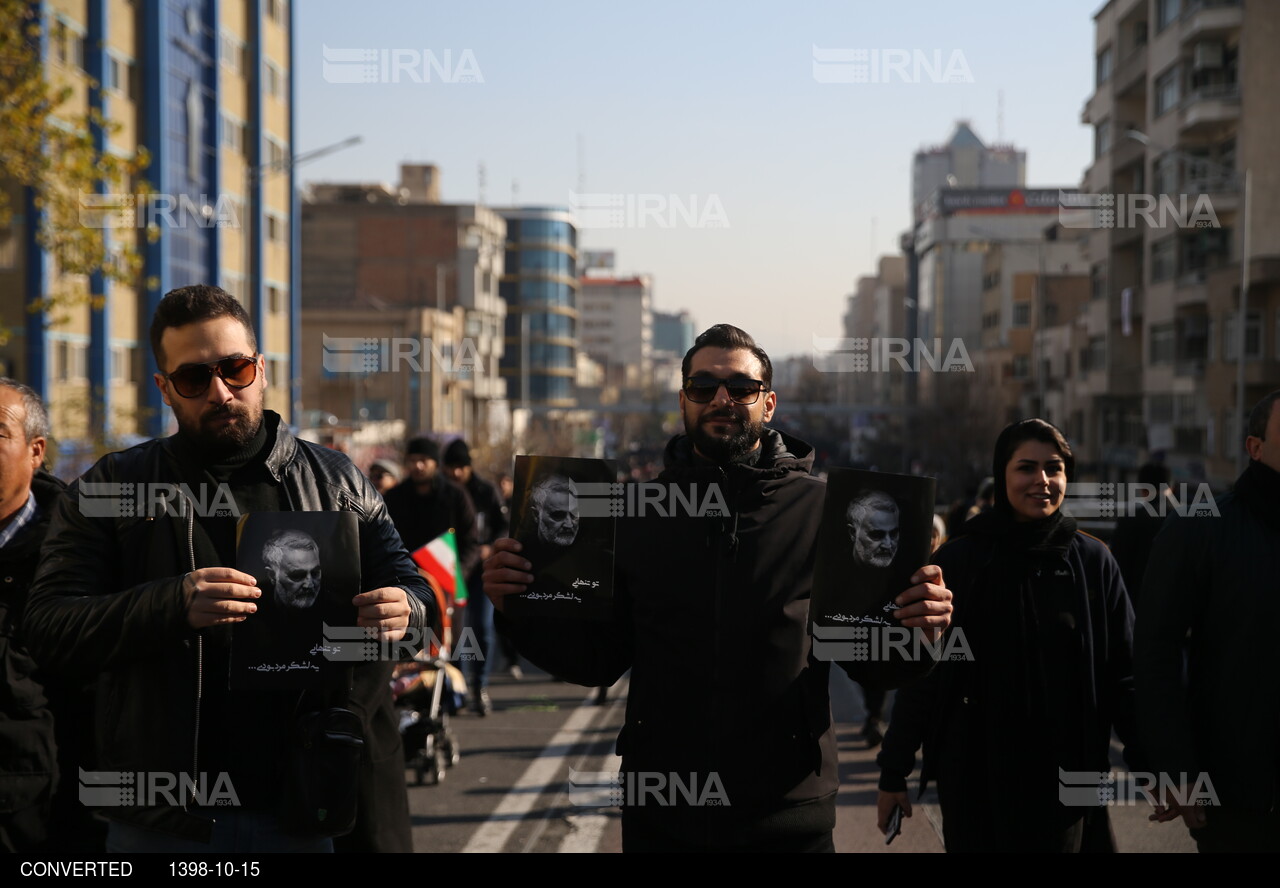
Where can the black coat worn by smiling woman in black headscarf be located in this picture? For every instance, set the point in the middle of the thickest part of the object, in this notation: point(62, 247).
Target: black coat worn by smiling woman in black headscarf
point(972, 750)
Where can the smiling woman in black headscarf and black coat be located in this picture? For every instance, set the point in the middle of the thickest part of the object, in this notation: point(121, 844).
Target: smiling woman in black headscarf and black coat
point(1045, 616)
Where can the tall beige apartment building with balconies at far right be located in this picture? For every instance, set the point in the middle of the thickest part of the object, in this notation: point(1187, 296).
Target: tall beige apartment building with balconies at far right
point(1186, 103)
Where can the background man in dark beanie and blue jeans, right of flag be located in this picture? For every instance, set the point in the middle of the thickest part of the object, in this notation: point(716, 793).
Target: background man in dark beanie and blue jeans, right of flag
point(491, 525)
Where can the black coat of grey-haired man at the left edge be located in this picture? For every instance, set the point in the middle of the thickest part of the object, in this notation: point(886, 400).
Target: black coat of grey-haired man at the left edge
point(29, 761)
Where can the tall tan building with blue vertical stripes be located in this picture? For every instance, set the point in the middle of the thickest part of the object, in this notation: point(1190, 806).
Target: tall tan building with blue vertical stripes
point(207, 89)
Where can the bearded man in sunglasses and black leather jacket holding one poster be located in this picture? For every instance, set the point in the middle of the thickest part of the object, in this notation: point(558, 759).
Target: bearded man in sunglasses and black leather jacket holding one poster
point(149, 601)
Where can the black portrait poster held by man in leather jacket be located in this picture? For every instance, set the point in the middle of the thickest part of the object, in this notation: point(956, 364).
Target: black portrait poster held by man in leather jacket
point(308, 566)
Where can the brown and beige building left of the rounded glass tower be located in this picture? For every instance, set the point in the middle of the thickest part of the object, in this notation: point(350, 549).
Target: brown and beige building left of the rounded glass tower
point(420, 281)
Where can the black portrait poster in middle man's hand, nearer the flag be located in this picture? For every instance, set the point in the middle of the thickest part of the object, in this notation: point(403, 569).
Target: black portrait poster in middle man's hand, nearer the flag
point(564, 516)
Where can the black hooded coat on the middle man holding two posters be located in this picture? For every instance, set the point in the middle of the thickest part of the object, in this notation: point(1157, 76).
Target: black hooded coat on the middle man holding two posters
point(712, 617)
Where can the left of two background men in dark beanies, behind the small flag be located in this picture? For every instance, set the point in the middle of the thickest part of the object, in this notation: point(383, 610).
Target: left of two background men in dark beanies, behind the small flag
point(427, 505)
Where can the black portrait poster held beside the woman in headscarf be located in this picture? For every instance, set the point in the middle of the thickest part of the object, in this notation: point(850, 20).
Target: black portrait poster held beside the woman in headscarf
point(876, 533)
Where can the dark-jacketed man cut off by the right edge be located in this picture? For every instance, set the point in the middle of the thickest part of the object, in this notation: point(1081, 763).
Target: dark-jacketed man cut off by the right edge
point(1209, 702)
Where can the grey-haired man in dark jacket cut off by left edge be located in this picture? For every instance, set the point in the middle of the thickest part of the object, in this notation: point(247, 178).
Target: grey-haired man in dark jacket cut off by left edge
point(29, 765)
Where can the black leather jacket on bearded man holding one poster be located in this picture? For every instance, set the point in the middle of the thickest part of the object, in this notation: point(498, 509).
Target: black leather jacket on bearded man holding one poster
point(108, 598)
